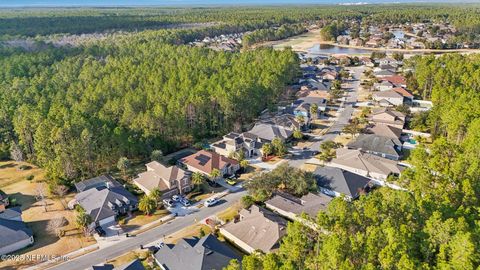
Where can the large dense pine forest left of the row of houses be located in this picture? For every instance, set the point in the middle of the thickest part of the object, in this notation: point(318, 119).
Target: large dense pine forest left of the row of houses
point(75, 114)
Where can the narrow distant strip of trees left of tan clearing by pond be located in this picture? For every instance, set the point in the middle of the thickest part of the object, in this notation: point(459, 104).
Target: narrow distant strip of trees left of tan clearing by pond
point(271, 34)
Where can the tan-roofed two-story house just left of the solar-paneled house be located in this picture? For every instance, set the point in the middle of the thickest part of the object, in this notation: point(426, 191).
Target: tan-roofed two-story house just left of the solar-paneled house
point(169, 180)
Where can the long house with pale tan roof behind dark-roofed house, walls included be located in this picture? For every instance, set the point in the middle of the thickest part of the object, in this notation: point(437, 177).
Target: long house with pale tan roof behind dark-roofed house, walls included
point(365, 164)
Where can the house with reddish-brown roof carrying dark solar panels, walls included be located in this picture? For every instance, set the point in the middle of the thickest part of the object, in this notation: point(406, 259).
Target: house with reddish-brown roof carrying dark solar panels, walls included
point(205, 162)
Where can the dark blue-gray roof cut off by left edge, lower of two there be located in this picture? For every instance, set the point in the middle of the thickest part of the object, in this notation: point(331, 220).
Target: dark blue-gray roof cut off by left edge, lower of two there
point(13, 231)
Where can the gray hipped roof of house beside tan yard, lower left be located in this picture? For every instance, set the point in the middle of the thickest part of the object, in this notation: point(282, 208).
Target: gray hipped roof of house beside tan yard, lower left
point(98, 202)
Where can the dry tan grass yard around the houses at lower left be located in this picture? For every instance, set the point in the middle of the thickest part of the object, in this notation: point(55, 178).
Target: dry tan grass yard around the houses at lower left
point(13, 181)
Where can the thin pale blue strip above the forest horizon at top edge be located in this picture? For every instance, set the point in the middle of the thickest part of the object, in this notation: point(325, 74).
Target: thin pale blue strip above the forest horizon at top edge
point(64, 3)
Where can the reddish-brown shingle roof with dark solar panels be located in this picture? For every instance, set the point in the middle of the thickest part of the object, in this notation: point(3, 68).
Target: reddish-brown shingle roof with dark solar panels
point(207, 161)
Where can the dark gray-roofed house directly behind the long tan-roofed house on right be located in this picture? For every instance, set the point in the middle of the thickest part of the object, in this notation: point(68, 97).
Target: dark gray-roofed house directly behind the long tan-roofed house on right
point(377, 145)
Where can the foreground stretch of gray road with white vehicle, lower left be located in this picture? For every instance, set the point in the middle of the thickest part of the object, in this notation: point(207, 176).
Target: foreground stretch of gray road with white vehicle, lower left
point(102, 255)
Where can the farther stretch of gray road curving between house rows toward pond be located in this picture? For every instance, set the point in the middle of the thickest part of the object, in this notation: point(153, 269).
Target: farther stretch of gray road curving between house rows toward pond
point(346, 110)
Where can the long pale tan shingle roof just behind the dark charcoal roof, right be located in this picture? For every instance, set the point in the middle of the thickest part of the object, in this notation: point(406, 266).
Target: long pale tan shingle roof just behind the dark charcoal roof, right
point(357, 160)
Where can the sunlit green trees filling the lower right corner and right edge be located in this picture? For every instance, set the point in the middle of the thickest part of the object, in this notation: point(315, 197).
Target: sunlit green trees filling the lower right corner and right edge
point(433, 225)
